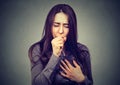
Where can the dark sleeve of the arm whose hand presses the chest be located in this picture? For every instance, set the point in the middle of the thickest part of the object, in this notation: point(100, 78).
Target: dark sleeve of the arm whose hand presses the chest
point(88, 73)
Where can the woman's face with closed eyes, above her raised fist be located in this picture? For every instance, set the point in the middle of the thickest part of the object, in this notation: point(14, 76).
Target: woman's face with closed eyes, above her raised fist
point(60, 26)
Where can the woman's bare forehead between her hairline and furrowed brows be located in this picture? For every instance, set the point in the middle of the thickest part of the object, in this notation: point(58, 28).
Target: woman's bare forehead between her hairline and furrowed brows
point(61, 18)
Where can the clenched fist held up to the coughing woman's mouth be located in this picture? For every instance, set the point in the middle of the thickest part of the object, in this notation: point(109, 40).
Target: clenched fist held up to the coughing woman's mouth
point(57, 45)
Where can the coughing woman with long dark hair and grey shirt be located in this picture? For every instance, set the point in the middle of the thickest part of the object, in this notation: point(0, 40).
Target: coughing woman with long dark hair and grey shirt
point(58, 59)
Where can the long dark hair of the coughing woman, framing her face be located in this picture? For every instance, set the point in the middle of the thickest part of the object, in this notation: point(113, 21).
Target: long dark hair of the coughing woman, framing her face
point(45, 42)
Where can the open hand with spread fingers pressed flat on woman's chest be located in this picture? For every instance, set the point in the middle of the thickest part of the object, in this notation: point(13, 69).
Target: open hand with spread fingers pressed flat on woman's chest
point(71, 72)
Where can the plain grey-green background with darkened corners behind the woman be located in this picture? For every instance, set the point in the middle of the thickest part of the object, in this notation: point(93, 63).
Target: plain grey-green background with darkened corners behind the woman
point(21, 25)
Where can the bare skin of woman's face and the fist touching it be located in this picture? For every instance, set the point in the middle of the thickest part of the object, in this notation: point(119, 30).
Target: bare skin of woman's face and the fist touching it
point(60, 31)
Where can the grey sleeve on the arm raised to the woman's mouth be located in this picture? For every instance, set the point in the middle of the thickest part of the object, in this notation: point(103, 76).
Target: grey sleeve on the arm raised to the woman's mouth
point(40, 74)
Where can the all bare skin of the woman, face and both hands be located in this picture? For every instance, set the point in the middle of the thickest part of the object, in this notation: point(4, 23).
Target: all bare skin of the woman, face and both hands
point(60, 30)
